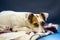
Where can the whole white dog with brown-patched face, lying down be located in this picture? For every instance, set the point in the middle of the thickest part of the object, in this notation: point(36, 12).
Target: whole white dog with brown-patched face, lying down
point(23, 21)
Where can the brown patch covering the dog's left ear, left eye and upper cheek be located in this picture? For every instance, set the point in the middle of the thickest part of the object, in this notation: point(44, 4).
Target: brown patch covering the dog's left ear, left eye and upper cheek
point(33, 19)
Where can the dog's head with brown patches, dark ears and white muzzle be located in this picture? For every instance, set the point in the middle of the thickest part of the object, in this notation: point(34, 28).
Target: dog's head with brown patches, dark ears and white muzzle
point(36, 21)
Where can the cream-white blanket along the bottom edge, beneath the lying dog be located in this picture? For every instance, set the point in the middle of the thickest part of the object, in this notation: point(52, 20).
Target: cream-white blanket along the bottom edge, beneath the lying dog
point(21, 36)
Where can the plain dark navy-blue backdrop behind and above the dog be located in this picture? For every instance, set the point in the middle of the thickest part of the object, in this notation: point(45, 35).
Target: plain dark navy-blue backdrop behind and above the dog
point(36, 6)
